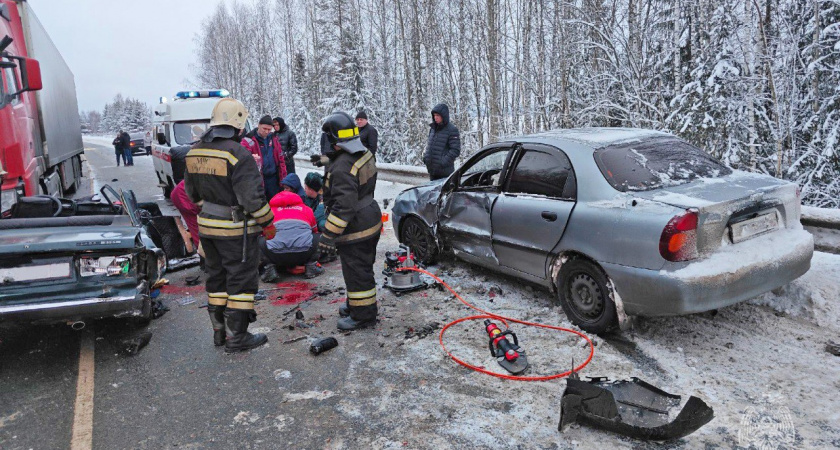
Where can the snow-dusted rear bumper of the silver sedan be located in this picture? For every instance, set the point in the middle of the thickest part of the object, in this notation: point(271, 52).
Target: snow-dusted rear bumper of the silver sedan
point(733, 274)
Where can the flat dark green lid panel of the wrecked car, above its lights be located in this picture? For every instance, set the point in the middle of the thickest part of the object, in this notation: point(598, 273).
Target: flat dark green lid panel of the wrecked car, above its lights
point(67, 239)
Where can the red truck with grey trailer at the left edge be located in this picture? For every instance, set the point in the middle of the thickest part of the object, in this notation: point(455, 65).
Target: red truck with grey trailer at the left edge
point(40, 133)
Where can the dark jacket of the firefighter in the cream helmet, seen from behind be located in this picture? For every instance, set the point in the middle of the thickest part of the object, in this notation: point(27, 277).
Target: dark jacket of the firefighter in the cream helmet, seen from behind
point(223, 175)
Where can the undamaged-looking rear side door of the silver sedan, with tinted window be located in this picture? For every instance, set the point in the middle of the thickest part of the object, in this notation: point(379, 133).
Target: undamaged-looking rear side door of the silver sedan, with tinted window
point(529, 217)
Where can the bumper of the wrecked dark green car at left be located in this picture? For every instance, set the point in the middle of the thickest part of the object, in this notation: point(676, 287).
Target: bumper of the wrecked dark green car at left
point(120, 306)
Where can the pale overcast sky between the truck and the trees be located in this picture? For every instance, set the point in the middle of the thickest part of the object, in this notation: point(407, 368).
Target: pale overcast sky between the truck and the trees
point(140, 48)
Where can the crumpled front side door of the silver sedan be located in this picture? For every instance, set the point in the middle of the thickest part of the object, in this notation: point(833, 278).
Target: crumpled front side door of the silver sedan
point(464, 214)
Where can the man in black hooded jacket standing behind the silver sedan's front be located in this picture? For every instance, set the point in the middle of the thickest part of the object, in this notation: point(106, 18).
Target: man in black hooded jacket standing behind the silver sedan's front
point(444, 144)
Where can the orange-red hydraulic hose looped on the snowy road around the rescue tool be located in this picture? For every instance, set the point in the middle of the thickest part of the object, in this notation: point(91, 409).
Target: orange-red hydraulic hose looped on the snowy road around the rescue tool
point(504, 320)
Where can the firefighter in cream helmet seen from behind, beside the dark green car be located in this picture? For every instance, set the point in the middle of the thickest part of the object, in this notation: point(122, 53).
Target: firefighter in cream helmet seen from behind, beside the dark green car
point(224, 177)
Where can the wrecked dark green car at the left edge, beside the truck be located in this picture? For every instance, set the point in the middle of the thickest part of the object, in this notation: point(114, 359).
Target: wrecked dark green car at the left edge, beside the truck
point(74, 261)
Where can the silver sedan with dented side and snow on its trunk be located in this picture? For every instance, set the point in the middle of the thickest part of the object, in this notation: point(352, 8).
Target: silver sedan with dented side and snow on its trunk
point(615, 221)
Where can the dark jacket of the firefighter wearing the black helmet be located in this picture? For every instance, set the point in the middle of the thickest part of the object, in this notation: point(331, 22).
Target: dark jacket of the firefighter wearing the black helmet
point(353, 214)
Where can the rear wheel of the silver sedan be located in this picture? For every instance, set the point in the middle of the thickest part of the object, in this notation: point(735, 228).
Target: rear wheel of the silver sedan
point(584, 296)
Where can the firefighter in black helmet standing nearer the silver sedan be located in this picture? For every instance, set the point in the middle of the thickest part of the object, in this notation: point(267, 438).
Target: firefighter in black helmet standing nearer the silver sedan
point(353, 217)
